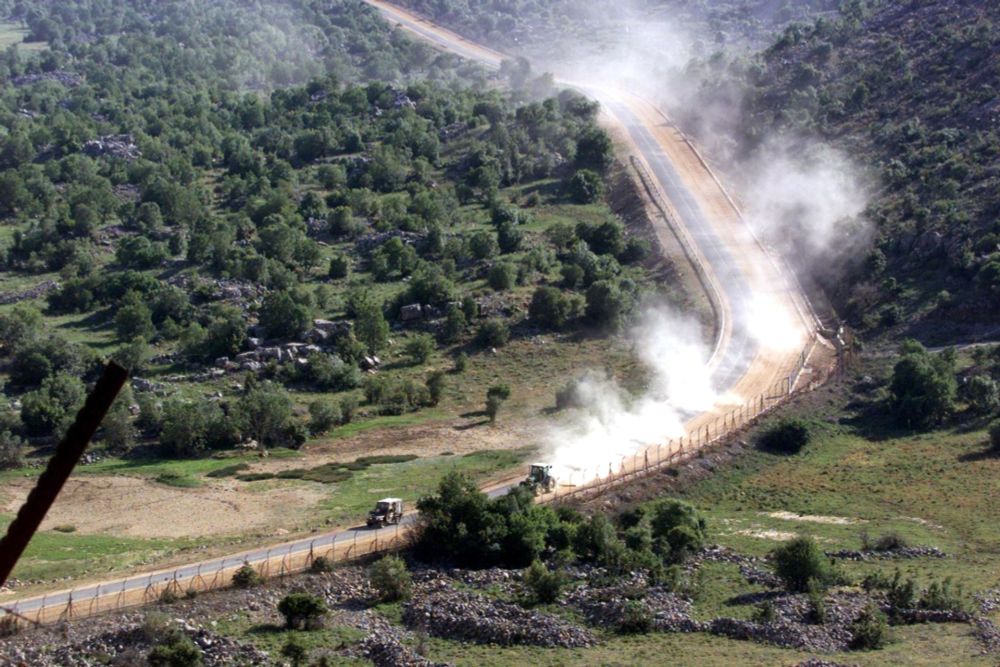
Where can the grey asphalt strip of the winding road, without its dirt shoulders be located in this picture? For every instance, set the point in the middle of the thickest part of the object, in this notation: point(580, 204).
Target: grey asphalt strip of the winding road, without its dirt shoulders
point(737, 354)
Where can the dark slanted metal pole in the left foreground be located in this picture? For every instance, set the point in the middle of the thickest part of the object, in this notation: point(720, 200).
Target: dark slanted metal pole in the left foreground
point(67, 455)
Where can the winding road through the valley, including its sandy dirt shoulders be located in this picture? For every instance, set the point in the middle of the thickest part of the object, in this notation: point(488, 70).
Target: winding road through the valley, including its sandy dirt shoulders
point(744, 365)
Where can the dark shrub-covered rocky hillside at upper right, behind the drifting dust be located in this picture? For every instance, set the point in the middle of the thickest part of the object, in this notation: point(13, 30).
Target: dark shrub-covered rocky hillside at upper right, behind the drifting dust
point(910, 89)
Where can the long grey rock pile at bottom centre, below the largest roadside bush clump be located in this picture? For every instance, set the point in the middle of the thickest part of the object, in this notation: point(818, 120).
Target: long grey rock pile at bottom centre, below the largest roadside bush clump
point(466, 616)
